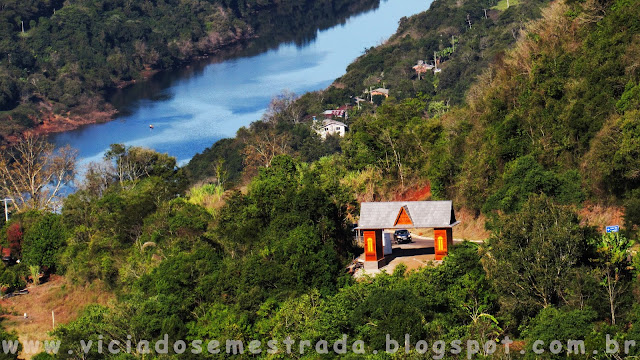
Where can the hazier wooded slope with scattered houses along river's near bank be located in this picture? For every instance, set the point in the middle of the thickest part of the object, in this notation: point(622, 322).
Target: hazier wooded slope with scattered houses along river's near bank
point(390, 65)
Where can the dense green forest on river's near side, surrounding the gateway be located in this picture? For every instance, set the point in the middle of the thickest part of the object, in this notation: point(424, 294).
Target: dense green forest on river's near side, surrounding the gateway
point(537, 119)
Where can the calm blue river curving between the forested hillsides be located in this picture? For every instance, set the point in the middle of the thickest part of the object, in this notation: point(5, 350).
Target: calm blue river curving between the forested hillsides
point(193, 107)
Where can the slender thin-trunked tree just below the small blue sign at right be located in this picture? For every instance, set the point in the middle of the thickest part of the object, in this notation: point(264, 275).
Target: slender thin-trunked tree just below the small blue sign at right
point(614, 267)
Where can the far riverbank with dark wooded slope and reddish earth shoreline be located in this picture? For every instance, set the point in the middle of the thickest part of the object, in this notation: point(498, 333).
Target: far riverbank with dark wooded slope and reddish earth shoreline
point(72, 76)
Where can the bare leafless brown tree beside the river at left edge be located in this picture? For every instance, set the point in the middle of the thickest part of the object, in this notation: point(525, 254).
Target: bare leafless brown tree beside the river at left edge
point(33, 173)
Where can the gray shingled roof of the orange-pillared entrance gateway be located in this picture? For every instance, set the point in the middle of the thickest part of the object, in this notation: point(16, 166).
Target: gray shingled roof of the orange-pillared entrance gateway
point(423, 214)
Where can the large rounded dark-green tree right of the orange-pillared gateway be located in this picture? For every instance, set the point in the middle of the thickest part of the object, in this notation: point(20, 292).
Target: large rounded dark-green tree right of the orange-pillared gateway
point(531, 252)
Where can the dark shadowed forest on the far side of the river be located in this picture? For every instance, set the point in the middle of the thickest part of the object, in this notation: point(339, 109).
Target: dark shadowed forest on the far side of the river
point(63, 57)
